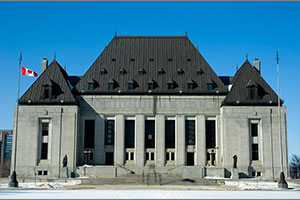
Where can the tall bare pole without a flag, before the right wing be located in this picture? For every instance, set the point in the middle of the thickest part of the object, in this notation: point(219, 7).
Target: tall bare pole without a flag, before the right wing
point(282, 182)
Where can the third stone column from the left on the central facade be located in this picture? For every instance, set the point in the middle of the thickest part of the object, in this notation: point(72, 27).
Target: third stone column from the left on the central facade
point(139, 140)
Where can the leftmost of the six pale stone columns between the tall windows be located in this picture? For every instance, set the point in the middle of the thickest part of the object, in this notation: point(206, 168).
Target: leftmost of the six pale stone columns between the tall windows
point(99, 140)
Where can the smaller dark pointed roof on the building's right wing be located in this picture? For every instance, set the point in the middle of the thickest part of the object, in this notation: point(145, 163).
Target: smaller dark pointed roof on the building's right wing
point(245, 78)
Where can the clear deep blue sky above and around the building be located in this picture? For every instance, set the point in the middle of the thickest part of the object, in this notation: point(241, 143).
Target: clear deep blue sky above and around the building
point(223, 31)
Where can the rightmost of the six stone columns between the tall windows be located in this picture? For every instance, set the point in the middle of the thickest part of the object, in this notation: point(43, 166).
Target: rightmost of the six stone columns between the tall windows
point(200, 141)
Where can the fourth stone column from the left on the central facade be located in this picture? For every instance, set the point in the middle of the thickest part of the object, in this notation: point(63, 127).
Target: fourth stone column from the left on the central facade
point(160, 140)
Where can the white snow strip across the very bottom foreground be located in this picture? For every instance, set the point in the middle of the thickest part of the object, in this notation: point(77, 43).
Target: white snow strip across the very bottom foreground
point(146, 194)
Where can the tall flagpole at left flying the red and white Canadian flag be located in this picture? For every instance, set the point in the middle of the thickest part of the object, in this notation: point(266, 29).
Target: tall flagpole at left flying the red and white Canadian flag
point(13, 178)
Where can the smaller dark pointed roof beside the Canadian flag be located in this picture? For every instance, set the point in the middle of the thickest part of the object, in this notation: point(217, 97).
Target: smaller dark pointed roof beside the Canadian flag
point(55, 77)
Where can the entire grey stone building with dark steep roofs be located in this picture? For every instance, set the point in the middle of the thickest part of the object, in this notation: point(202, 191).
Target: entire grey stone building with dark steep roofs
point(150, 104)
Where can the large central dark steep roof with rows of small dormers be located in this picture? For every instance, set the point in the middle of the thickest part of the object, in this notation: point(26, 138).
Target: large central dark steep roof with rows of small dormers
point(151, 54)
